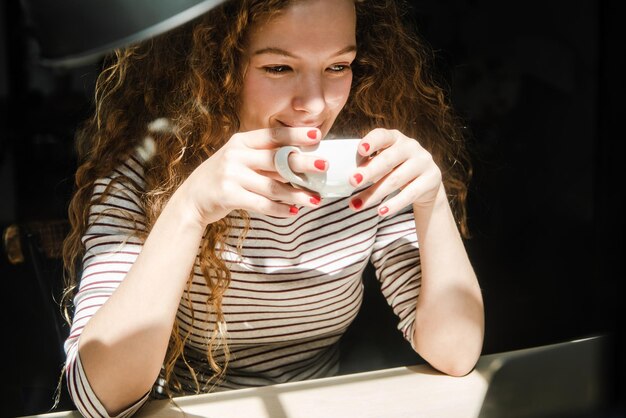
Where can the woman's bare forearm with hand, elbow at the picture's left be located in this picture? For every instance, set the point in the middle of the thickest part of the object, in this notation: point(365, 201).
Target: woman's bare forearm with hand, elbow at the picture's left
point(123, 345)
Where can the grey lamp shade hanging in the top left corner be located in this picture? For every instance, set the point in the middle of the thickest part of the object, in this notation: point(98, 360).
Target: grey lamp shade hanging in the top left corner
point(71, 33)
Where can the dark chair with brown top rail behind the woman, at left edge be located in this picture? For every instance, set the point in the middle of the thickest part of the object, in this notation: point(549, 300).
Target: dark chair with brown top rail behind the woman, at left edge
point(35, 275)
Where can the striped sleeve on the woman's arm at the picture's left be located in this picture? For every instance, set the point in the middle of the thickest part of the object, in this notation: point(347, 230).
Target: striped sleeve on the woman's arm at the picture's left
point(111, 247)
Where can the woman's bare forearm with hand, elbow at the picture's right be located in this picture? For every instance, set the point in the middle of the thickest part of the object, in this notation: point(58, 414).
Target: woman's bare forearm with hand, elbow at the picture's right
point(449, 322)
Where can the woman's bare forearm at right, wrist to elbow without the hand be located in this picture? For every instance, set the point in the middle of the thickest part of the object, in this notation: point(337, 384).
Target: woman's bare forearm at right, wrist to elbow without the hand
point(449, 317)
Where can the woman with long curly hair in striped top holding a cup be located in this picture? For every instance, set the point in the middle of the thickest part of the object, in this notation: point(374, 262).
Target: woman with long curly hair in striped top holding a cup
point(201, 269)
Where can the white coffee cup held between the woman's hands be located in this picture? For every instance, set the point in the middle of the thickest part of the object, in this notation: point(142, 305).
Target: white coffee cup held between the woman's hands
point(342, 158)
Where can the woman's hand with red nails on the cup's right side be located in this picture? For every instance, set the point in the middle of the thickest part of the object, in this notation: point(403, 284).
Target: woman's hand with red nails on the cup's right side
point(397, 163)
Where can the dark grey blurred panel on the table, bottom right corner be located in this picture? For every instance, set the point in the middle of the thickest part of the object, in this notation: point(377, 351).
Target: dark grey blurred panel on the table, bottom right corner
point(568, 380)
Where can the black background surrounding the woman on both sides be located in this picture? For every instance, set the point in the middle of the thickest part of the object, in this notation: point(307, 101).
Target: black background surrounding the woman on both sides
point(539, 84)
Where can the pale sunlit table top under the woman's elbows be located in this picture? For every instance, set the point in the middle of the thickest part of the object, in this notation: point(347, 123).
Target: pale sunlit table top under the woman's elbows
point(415, 391)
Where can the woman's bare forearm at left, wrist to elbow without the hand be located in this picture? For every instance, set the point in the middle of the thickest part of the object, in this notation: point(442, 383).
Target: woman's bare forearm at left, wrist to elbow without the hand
point(123, 345)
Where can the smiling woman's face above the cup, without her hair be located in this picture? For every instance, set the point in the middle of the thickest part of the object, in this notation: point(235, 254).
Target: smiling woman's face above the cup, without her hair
point(298, 66)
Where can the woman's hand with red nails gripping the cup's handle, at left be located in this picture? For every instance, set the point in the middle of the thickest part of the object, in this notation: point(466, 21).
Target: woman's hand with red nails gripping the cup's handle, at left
point(241, 175)
